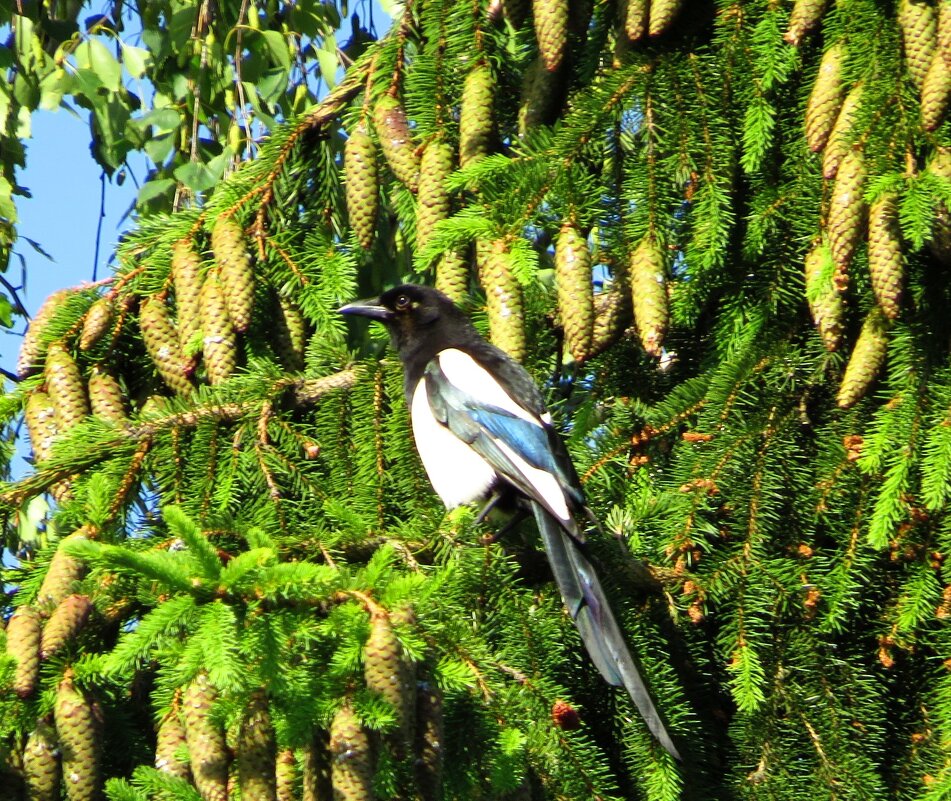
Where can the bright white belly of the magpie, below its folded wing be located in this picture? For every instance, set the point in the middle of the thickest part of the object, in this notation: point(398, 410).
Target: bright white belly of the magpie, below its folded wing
point(458, 474)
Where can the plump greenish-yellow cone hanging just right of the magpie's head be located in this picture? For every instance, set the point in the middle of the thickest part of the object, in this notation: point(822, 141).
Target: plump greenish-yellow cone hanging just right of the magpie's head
point(503, 298)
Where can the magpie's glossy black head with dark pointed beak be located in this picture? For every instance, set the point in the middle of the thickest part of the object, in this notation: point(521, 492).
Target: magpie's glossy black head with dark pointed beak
point(421, 320)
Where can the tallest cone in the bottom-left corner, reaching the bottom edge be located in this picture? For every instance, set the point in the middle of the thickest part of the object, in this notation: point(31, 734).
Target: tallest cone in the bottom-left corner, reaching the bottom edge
point(77, 727)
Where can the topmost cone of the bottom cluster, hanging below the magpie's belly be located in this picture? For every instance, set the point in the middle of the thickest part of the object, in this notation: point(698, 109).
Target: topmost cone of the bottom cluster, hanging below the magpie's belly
point(389, 673)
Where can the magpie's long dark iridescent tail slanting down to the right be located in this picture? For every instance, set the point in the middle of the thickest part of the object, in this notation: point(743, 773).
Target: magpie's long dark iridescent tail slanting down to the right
point(588, 606)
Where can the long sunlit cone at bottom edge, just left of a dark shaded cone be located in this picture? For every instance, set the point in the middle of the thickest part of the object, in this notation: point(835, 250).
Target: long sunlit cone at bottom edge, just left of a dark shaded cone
point(206, 740)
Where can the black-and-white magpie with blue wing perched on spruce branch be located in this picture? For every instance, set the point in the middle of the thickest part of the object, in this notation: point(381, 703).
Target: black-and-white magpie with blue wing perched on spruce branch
point(484, 434)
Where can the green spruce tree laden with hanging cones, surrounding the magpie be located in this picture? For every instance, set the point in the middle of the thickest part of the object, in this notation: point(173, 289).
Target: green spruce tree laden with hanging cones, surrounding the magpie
point(718, 235)
